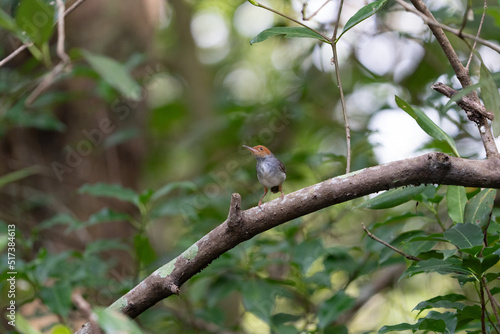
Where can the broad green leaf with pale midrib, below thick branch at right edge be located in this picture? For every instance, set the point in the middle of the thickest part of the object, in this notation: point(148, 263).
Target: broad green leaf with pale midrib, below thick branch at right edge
point(478, 209)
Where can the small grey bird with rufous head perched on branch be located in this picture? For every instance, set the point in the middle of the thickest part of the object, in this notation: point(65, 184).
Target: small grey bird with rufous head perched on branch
point(270, 171)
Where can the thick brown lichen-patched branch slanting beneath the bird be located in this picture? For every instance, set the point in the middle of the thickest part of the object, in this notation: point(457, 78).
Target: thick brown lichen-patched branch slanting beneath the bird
point(437, 168)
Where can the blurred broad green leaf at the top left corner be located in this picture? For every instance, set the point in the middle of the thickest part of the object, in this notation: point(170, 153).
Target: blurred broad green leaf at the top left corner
point(36, 19)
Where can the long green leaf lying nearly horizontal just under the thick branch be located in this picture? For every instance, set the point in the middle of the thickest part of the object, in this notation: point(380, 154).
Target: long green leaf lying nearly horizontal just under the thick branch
point(393, 197)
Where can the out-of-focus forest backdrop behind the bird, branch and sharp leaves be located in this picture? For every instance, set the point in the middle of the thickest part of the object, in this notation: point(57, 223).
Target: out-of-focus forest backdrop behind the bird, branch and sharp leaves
point(172, 145)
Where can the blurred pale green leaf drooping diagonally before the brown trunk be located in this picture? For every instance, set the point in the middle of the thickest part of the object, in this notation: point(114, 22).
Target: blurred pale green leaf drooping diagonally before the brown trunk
point(115, 74)
